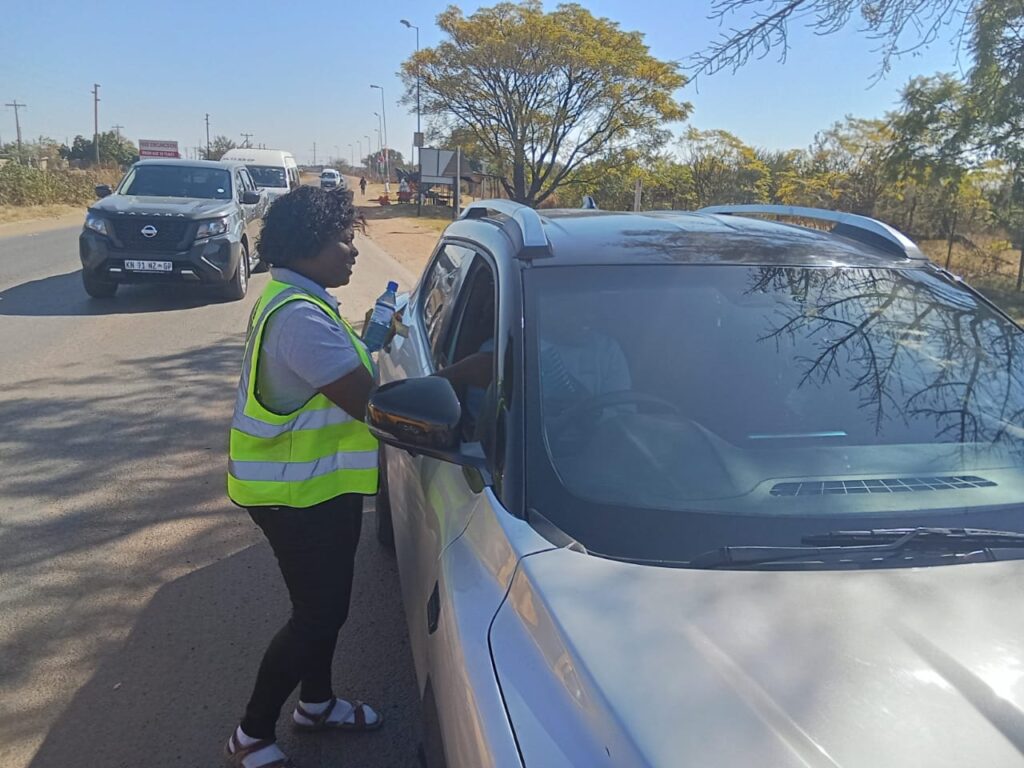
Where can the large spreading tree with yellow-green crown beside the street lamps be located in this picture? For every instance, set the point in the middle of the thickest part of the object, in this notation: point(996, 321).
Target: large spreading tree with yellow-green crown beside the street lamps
point(544, 94)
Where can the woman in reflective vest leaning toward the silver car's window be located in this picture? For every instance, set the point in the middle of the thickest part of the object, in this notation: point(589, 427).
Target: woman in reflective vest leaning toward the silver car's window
point(302, 460)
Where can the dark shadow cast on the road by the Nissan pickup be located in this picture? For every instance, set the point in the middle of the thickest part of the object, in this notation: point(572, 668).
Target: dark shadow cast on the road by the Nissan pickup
point(63, 295)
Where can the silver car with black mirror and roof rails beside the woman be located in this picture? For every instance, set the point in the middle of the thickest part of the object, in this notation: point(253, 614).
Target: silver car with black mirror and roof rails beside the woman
point(739, 493)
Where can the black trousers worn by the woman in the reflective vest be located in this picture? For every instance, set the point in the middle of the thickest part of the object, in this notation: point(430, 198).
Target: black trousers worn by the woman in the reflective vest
point(316, 549)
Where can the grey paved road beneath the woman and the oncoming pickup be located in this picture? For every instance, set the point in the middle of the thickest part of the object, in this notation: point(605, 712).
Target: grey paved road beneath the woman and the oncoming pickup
point(135, 600)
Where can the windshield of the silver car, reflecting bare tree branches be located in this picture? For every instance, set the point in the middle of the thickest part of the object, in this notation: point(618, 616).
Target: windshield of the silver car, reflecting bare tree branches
point(686, 408)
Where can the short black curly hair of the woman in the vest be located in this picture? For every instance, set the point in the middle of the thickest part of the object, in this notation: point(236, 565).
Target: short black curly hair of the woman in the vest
point(300, 224)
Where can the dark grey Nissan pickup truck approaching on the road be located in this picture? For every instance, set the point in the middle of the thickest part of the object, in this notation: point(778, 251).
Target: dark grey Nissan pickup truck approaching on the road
point(175, 222)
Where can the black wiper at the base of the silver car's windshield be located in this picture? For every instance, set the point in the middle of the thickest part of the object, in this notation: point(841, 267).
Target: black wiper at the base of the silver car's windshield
point(862, 547)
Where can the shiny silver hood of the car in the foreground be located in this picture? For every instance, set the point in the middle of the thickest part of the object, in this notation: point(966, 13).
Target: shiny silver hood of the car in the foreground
point(605, 663)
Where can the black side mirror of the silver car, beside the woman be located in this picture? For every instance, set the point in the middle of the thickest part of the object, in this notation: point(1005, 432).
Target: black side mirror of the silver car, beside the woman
point(421, 416)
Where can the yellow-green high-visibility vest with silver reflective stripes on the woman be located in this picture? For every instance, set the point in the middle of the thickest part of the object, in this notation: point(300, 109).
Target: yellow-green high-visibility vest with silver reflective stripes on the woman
point(306, 457)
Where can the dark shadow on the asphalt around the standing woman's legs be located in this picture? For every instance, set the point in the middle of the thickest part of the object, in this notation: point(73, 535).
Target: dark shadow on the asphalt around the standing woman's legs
point(180, 682)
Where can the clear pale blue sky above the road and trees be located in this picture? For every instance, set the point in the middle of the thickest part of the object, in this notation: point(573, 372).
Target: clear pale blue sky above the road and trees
point(297, 73)
